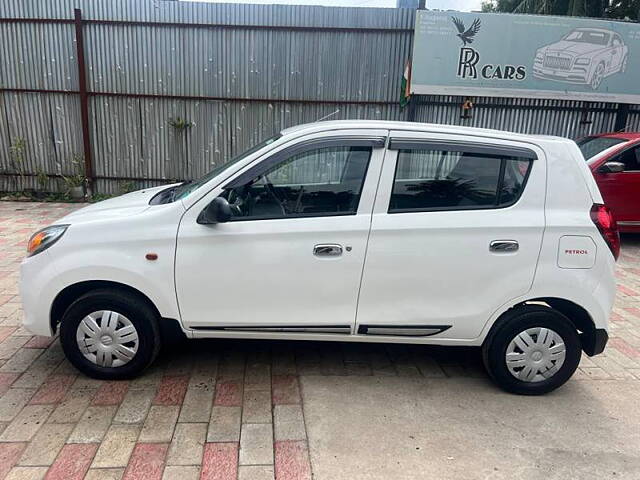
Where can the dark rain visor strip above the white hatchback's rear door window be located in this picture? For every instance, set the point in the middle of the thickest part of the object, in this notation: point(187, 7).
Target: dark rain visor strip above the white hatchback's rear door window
point(466, 147)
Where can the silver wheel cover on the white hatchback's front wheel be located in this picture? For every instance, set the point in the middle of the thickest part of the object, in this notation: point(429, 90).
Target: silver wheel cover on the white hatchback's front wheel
point(107, 338)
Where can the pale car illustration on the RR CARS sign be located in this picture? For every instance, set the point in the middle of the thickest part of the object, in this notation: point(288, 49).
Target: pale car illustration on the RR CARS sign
point(583, 56)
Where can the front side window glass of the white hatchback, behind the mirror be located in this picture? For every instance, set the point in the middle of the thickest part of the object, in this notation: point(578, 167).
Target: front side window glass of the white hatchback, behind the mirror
point(318, 182)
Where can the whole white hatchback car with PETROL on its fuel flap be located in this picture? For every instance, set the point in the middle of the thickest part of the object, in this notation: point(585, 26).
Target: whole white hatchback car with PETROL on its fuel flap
point(363, 231)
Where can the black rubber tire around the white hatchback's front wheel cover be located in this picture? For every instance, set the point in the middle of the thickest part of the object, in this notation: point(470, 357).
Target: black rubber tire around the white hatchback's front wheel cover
point(137, 310)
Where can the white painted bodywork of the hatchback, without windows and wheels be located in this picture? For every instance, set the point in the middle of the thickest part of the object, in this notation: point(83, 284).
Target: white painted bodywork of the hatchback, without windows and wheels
point(428, 267)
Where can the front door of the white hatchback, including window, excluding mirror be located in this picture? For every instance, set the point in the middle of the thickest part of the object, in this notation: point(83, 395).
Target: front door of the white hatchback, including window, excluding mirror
point(291, 258)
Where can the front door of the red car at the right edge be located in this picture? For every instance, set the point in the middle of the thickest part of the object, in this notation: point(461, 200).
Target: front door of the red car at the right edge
point(621, 191)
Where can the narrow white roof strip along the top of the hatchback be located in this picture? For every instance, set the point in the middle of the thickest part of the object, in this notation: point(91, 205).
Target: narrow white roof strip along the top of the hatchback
point(412, 126)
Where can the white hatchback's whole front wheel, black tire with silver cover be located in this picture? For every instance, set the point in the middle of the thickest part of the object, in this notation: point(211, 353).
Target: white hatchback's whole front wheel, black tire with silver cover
point(110, 334)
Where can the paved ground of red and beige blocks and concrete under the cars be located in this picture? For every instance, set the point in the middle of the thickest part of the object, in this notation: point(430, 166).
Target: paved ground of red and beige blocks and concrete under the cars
point(254, 410)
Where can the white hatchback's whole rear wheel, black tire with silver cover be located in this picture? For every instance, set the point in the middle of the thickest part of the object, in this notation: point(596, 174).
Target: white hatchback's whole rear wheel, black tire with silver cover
point(534, 350)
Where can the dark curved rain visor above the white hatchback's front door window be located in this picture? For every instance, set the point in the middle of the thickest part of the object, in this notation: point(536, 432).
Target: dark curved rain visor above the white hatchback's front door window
point(338, 141)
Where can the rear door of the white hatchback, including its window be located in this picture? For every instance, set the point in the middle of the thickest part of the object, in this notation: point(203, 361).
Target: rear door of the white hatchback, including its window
point(456, 232)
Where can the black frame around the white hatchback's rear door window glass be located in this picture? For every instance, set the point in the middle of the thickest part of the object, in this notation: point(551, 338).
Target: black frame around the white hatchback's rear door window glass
point(495, 206)
